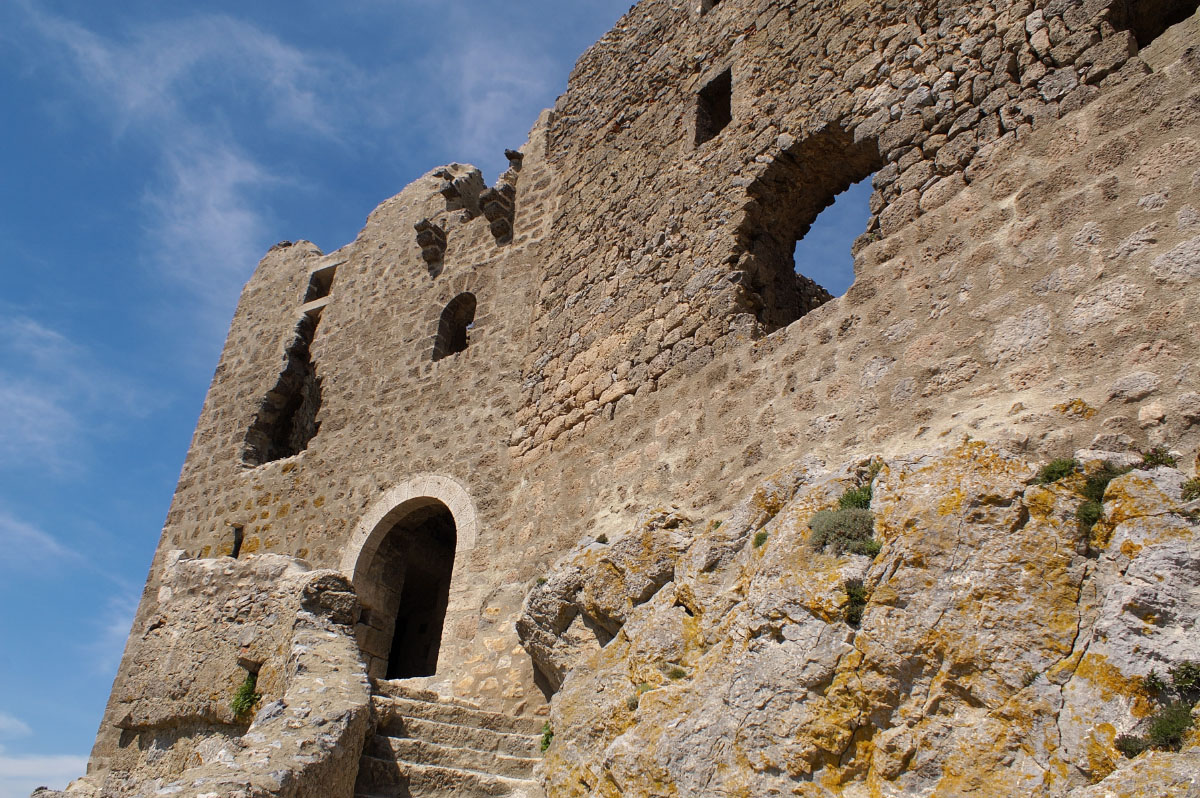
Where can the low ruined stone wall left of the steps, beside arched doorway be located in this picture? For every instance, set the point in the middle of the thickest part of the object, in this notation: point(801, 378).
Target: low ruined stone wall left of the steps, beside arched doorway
point(219, 621)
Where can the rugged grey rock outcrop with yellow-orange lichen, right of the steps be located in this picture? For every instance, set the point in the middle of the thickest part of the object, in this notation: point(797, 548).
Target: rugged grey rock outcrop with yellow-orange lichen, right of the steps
point(1000, 651)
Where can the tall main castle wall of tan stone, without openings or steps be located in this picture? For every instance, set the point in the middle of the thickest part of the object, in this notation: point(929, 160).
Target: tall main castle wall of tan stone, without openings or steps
point(1027, 279)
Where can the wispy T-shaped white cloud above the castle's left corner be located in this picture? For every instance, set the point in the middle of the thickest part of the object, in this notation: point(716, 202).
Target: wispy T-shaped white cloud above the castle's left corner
point(201, 92)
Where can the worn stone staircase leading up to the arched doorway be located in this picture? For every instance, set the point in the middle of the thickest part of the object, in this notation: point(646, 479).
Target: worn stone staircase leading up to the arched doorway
point(427, 747)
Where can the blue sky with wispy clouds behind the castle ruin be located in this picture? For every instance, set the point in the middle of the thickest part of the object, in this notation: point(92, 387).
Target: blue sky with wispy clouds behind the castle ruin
point(151, 155)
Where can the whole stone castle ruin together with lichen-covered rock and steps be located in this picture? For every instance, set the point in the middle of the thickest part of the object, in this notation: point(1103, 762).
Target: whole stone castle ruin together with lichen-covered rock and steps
point(512, 495)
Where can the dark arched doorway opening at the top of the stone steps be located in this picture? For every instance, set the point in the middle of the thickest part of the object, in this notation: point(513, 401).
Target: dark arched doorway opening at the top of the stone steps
point(409, 591)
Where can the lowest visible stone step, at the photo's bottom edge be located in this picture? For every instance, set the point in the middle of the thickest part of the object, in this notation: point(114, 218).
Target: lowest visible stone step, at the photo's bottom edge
point(391, 779)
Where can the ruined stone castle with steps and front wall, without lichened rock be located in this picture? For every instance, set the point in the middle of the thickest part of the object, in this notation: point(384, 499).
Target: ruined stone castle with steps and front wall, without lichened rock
point(405, 435)
